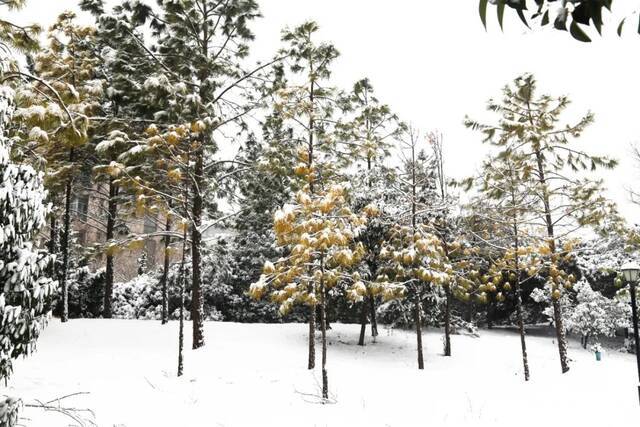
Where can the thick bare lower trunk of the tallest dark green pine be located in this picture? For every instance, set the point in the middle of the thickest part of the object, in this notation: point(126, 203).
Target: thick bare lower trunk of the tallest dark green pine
point(197, 302)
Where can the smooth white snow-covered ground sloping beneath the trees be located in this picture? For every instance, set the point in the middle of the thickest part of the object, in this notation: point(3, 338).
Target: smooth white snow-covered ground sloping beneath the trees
point(255, 375)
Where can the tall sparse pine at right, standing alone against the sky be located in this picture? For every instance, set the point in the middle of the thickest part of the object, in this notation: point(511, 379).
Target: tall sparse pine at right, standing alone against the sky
point(529, 132)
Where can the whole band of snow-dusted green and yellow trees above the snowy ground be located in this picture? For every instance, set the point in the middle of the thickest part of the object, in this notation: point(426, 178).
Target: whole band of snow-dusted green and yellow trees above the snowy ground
point(337, 209)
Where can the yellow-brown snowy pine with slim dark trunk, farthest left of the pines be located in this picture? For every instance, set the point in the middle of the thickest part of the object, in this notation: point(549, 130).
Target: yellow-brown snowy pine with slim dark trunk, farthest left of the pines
point(69, 65)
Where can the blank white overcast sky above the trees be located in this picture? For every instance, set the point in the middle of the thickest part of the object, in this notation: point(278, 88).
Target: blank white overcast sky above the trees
point(433, 62)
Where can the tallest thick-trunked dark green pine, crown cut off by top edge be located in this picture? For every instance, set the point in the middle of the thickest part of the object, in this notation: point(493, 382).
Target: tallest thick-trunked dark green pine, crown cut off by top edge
point(213, 36)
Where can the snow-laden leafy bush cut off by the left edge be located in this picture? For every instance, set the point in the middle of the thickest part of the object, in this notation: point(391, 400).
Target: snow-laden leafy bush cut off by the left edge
point(26, 292)
